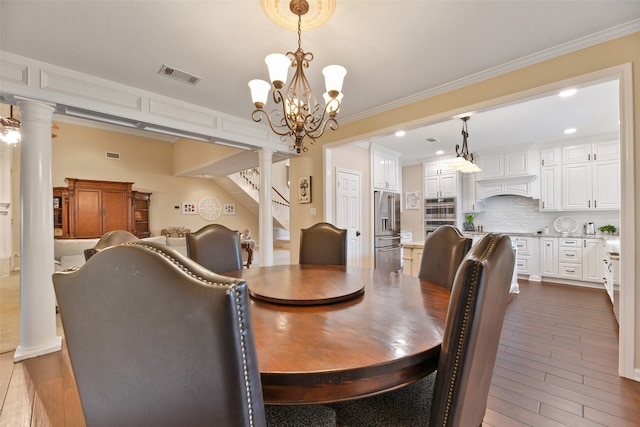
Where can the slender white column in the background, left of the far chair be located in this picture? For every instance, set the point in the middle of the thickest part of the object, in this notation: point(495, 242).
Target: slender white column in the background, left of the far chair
point(265, 215)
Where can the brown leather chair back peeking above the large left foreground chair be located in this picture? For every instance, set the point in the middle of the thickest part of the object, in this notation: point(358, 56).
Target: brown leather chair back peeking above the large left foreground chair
point(215, 247)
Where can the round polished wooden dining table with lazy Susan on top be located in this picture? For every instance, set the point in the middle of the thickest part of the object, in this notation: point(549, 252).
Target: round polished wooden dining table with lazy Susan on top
point(332, 333)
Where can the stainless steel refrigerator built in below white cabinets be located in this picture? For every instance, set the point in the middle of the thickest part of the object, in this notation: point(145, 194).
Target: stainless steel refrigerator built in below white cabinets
point(386, 219)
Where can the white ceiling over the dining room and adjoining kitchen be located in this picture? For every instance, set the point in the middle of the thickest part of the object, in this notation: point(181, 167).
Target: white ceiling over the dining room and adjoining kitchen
point(395, 51)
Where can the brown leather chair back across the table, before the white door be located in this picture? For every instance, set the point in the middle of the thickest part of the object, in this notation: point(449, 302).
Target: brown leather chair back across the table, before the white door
point(323, 244)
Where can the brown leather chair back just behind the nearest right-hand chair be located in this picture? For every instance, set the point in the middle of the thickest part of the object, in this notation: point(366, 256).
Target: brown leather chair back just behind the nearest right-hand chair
point(442, 254)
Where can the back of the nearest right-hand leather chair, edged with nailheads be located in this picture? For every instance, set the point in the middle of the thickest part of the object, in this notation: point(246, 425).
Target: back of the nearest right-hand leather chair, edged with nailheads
point(472, 332)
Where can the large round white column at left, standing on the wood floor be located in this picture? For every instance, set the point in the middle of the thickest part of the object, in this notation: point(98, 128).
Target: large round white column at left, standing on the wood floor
point(37, 297)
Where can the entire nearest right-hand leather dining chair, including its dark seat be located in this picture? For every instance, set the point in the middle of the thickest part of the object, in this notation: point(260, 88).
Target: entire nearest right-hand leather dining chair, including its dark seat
point(456, 394)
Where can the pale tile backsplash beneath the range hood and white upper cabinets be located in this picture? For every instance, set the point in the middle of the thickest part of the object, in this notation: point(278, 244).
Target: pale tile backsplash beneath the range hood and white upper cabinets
point(522, 215)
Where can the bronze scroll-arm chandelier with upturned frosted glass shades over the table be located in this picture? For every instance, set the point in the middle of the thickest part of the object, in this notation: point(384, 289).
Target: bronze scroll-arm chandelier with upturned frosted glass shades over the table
point(299, 115)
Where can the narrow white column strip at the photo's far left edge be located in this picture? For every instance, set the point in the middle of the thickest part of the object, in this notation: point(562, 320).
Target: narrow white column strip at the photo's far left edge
point(6, 234)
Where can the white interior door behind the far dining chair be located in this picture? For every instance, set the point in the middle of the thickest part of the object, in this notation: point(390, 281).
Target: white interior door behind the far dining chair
point(349, 212)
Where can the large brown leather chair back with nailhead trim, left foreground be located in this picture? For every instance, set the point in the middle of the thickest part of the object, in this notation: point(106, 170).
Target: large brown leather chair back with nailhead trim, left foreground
point(156, 339)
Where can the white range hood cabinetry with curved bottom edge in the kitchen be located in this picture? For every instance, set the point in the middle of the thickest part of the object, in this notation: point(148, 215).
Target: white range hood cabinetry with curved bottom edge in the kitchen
point(507, 173)
